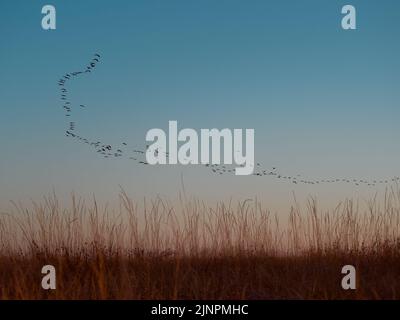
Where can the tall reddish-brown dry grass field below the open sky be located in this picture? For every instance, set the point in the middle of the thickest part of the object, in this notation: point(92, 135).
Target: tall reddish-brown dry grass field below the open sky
point(156, 250)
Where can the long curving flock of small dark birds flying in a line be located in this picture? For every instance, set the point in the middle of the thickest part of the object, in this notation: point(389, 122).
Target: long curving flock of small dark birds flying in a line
point(138, 154)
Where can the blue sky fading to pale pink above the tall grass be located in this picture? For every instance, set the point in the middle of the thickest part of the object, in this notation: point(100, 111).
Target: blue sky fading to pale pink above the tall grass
point(324, 102)
